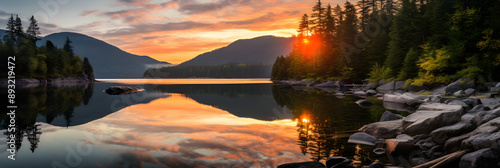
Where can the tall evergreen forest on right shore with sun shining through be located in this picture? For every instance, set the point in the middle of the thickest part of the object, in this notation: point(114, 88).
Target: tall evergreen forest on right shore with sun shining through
point(426, 42)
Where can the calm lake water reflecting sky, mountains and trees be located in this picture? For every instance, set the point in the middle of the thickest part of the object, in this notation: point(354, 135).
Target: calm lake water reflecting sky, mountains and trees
point(183, 123)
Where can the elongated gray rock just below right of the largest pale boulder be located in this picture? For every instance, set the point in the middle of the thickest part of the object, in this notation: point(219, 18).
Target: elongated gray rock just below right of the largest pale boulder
point(442, 134)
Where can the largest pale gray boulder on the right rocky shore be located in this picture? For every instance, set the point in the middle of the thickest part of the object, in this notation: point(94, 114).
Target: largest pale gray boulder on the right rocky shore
point(429, 117)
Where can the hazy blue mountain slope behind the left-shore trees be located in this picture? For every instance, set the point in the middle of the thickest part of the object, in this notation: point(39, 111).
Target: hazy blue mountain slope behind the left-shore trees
point(107, 60)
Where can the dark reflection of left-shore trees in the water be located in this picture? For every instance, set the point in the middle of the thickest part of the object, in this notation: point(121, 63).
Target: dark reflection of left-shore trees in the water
point(49, 102)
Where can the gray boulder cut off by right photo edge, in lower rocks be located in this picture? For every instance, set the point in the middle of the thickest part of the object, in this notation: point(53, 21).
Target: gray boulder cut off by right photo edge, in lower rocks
point(485, 136)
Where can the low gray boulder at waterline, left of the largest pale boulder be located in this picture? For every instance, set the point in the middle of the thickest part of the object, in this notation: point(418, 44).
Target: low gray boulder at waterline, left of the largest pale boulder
point(385, 129)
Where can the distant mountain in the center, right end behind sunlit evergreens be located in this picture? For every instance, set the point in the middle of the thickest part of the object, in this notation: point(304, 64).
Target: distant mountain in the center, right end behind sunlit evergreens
point(264, 49)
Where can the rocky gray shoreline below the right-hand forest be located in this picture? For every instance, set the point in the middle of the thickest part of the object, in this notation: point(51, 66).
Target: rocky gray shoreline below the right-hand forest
point(457, 125)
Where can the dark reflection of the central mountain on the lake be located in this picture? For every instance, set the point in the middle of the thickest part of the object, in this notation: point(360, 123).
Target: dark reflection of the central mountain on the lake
point(251, 101)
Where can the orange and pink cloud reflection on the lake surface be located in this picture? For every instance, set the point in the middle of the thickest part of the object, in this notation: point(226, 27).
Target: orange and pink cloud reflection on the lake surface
point(179, 132)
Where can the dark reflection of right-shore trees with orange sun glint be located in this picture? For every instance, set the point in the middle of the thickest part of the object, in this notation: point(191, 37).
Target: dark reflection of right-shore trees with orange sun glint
point(325, 122)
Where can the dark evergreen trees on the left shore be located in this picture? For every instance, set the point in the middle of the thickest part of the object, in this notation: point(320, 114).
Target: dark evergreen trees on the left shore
point(47, 61)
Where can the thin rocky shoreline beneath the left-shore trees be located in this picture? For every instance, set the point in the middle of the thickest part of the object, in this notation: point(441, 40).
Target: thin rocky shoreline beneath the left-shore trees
point(51, 82)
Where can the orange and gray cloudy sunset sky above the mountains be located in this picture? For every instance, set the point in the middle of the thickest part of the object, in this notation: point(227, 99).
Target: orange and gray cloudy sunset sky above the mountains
point(167, 30)
